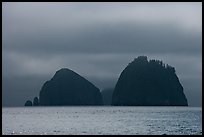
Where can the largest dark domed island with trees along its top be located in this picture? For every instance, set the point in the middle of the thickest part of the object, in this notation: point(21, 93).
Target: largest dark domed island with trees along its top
point(148, 83)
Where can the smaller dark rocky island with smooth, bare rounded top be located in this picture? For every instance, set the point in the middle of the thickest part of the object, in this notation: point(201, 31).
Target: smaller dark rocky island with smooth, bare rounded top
point(69, 88)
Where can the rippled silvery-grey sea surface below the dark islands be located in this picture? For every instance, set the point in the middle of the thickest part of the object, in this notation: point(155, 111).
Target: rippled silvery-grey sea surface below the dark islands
point(102, 120)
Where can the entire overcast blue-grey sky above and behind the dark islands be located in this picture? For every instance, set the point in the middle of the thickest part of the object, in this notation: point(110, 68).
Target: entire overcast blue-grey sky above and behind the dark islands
point(97, 40)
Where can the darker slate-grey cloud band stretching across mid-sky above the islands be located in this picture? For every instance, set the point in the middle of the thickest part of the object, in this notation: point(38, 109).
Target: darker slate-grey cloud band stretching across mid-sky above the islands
point(104, 38)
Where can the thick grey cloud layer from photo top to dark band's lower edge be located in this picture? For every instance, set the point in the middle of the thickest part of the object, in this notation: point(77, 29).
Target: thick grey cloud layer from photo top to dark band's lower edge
point(101, 28)
